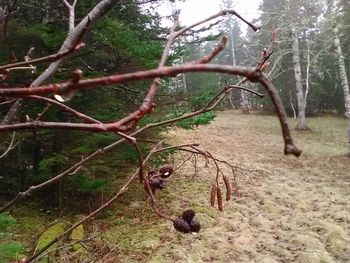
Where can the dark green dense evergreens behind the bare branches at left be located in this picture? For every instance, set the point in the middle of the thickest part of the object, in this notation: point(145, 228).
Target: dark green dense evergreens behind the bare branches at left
point(128, 38)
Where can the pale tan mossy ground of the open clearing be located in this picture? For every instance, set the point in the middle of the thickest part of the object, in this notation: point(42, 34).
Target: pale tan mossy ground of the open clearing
point(297, 210)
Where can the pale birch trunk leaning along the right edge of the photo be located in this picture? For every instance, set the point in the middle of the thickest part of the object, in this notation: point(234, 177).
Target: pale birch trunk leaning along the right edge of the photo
point(343, 78)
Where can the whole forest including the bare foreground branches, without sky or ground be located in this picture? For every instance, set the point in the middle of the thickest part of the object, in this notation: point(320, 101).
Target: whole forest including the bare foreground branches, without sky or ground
point(56, 166)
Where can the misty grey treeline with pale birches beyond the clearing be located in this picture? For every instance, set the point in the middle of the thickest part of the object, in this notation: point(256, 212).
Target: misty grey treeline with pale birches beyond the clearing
point(310, 63)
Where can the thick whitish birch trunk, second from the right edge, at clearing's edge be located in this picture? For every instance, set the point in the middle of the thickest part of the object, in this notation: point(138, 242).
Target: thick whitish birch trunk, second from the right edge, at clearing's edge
point(298, 81)
